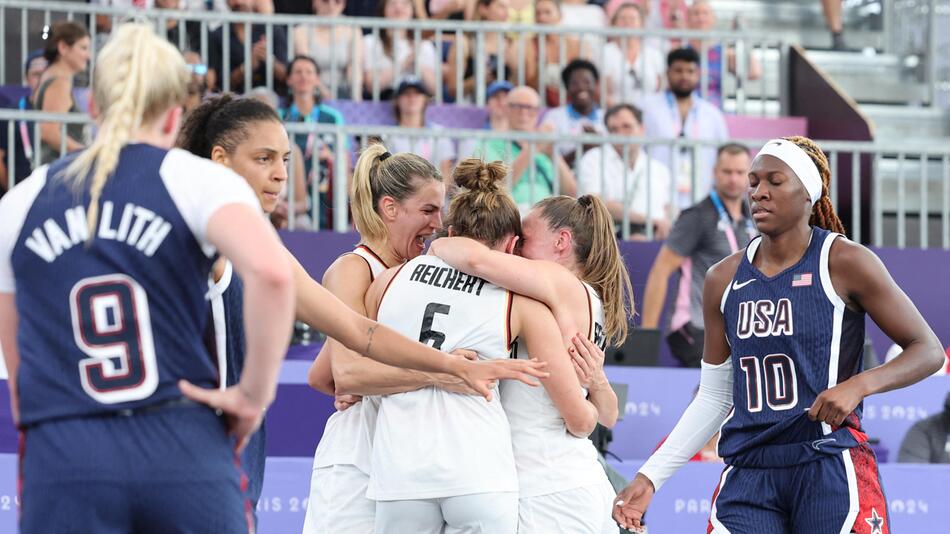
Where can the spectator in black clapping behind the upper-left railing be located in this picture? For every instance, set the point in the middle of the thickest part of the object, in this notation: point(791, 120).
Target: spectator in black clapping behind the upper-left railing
point(236, 65)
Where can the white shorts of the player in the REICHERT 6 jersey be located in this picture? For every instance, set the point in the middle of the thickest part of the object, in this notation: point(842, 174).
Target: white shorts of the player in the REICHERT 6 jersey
point(478, 513)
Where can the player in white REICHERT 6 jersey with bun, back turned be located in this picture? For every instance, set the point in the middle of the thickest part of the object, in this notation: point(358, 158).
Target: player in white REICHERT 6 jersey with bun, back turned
point(441, 461)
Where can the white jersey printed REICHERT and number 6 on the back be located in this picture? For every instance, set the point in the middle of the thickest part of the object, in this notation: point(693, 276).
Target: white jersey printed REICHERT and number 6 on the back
point(430, 443)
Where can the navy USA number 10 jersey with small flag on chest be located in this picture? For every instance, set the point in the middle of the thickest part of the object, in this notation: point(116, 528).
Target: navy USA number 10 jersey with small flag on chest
point(791, 338)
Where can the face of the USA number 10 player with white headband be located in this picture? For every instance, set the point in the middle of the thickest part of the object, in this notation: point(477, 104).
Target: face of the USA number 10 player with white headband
point(777, 197)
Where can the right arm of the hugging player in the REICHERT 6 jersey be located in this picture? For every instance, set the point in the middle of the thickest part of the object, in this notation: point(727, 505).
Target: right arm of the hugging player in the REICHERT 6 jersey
point(534, 323)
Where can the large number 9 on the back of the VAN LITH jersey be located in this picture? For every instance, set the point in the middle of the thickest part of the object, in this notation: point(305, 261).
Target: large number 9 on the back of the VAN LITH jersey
point(111, 325)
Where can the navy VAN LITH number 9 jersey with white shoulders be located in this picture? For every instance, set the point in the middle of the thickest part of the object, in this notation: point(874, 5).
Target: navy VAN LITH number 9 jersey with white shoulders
point(114, 322)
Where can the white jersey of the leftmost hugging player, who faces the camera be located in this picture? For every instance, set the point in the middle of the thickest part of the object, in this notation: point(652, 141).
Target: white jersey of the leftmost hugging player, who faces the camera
point(348, 436)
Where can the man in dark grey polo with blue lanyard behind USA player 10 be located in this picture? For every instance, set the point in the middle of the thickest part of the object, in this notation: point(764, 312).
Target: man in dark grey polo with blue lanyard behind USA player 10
point(703, 235)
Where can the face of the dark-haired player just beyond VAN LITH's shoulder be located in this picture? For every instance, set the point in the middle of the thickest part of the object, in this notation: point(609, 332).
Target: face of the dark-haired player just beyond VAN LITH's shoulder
point(262, 160)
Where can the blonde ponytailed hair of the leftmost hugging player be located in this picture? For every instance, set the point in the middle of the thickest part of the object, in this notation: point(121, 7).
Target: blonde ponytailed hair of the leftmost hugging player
point(380, 174)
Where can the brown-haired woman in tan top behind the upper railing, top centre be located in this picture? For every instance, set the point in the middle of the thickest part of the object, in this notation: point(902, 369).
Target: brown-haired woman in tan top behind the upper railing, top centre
point(548, 13)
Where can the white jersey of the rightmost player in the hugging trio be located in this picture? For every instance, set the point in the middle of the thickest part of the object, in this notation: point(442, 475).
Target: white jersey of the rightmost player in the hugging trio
point(549, 458)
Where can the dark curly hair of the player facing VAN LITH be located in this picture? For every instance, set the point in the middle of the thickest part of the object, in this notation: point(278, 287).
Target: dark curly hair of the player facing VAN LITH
point(222, 121)
